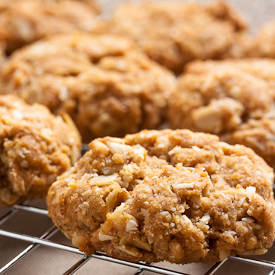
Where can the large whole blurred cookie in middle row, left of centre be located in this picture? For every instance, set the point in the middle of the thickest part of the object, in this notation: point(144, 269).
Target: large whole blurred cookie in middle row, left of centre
point(103, 82)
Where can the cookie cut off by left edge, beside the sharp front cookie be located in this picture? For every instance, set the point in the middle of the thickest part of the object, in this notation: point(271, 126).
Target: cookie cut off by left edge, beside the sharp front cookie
point(35, 147)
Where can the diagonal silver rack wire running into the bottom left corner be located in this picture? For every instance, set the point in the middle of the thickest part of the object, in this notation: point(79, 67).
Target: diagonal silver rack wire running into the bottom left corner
point(30, 248)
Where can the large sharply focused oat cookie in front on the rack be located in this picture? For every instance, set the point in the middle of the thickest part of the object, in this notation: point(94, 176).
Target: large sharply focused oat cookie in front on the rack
point(167, 195)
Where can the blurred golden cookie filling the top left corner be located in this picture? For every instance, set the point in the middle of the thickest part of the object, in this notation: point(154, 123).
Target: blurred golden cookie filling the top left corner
point(25, 21)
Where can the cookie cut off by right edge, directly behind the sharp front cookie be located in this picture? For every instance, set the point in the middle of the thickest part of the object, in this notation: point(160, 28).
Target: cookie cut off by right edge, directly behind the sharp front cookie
point(227, 98)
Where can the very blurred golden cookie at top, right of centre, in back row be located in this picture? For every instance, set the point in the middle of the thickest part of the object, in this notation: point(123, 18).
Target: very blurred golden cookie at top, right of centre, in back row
point(182, 32)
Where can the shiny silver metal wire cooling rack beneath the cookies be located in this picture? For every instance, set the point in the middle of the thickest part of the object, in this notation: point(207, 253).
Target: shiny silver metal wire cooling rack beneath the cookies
point(268, 267)
